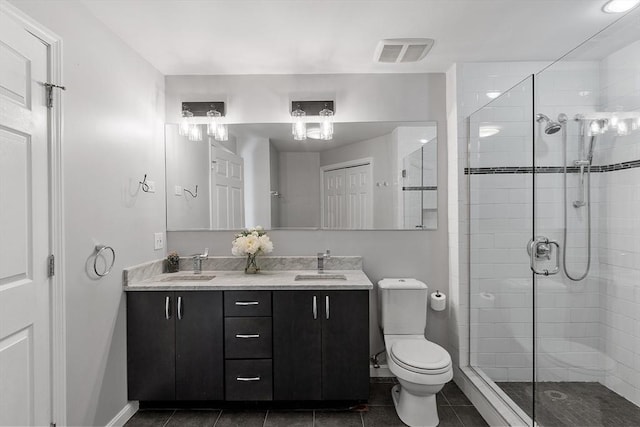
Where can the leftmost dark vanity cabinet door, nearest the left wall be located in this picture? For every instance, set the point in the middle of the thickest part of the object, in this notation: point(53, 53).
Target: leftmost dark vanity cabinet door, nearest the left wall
point(150, 345)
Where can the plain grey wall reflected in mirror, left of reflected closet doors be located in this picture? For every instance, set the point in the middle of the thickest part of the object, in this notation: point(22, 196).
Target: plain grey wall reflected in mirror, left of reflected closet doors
point(299, 181)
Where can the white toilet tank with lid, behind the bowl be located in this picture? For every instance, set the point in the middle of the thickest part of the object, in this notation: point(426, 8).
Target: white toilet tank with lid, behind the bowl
point(403, 306)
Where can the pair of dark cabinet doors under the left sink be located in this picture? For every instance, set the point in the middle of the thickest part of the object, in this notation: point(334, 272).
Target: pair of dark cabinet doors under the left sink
point(174, 345)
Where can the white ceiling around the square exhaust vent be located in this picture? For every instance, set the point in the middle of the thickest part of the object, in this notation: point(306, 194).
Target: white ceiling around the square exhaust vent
point(340, 36)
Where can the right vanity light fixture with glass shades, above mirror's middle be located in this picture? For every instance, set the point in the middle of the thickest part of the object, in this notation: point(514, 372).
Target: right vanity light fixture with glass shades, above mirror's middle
point(303, 112)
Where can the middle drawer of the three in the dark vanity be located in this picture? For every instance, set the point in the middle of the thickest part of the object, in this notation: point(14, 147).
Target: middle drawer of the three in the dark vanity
point(247, 337)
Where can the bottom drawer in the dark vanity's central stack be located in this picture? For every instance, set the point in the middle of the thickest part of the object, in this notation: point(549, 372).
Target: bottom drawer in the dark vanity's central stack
point(249, 380)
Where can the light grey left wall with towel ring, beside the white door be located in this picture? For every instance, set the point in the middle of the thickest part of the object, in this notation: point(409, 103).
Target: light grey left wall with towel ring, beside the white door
point(113, 135)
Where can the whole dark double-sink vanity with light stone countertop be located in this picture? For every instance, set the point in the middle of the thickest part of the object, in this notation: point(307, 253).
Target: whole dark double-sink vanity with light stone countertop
point(237, 337)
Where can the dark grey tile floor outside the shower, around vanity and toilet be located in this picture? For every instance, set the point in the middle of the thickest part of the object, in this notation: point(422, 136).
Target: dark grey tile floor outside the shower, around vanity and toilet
point(454, 409)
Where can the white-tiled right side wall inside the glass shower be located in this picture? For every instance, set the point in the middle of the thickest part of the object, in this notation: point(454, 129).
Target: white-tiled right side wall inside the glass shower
point(619, 228)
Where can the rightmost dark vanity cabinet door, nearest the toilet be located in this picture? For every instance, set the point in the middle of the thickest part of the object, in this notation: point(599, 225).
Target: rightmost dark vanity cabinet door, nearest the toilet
point(345, 345)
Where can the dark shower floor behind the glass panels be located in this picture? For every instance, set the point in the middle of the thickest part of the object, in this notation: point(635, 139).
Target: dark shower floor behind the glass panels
point(574, 404)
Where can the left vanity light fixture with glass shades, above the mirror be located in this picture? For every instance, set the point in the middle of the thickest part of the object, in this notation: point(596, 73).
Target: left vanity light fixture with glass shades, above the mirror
point(213, 112)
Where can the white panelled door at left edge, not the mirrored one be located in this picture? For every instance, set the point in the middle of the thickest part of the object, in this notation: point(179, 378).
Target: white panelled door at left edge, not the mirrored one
point(24, 229)
